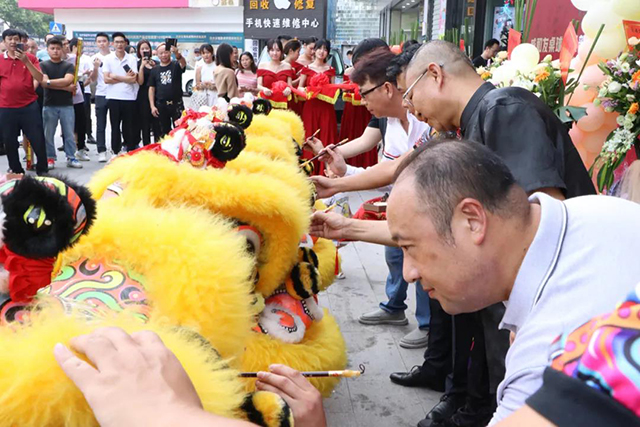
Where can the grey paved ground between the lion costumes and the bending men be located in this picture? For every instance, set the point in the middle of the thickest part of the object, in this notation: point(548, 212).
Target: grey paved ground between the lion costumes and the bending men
point(371, 400)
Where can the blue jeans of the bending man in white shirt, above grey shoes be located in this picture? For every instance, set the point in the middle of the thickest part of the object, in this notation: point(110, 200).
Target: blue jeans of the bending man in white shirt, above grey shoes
point(396, 289)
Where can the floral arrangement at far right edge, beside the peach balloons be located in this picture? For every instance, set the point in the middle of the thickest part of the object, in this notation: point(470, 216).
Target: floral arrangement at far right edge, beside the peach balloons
point(619, 93)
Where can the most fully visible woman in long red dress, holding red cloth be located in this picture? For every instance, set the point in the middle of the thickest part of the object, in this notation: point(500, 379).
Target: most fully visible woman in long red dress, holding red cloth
point(319, 112)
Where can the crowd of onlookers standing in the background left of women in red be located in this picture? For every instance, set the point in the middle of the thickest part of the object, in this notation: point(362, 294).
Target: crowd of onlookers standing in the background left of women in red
point(136, 89)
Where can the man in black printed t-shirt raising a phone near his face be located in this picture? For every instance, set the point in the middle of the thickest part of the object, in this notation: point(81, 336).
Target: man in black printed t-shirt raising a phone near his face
point(165, 87)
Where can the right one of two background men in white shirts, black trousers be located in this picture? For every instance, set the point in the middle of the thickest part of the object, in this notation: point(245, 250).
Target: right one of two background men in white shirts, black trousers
point(122, 89)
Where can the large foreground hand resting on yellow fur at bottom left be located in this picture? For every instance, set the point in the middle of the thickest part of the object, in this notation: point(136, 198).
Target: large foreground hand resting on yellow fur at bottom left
point(135, 379)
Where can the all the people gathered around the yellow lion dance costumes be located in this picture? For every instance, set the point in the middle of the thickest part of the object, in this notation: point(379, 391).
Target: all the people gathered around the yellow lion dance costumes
point(491, 214)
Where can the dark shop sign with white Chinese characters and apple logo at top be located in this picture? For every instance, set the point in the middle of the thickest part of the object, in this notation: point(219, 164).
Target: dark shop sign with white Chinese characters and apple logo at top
point(264, 19)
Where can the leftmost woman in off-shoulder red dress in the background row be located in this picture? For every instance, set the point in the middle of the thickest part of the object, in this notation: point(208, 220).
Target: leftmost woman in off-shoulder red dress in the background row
point(272, 72)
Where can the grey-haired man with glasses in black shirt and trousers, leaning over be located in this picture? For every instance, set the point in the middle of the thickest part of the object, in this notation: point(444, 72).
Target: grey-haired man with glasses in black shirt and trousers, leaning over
point(445, 89)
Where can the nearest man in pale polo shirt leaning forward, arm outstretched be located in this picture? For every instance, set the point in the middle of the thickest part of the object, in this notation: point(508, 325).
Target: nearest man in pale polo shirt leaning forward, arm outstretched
point(472, 238)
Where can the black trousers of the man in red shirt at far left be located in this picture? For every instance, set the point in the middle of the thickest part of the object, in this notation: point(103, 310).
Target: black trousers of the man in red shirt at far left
point(29, 120)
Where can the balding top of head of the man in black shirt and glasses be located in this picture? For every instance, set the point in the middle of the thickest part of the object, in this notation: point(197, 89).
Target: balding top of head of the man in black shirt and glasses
point(443, 53)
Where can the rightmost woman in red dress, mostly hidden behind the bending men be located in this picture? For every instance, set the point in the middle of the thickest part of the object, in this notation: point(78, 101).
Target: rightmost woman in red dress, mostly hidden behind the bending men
point(355, 119)
